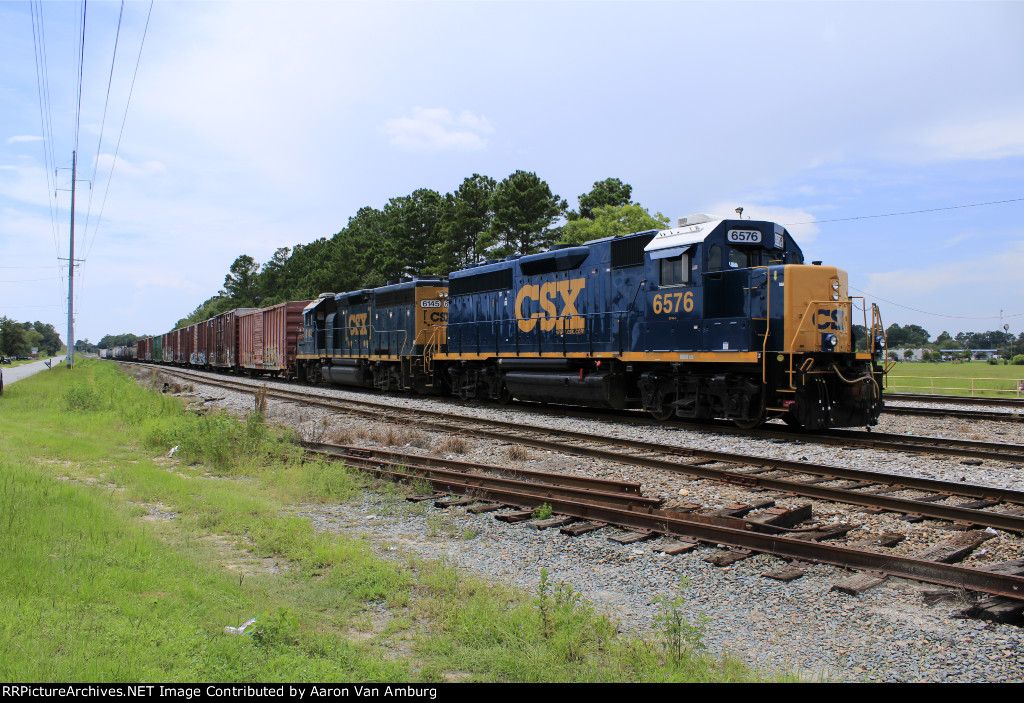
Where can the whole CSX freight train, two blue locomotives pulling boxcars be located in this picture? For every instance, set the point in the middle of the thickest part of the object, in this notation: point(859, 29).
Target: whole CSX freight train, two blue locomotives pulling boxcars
point(712, 319)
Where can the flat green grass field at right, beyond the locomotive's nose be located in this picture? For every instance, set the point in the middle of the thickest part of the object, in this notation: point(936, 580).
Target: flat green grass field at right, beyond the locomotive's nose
point(967, 378)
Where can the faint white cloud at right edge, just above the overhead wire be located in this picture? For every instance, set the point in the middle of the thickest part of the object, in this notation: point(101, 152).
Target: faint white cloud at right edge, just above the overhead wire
point(987, 140)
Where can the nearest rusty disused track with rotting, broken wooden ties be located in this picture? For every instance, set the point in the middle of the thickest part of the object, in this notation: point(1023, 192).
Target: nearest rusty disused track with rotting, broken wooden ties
point(585, 509)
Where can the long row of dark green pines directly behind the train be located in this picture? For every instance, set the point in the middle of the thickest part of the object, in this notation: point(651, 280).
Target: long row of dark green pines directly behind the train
point(431, 234)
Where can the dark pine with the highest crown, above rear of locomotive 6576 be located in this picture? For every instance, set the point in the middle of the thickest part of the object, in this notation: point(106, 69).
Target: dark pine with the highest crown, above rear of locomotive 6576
point(525, 212)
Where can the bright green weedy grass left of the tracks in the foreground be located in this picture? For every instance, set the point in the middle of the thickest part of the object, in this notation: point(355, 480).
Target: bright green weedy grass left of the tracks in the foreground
point(122, 565)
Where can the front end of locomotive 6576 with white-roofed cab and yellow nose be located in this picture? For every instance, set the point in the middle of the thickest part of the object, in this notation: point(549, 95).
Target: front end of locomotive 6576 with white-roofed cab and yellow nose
point(749, 292)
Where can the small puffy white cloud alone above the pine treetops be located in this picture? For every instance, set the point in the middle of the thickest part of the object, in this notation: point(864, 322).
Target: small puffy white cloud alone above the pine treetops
point(437, 129)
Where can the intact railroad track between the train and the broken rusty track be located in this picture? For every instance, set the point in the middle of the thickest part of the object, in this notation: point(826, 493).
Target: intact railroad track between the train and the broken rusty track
point(917, 498)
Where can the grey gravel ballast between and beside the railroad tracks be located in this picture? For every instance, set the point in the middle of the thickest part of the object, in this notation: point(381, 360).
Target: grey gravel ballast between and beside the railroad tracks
point(884, 635)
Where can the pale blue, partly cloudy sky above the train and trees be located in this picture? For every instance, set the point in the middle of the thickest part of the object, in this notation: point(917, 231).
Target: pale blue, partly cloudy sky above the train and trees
point(254, 126)
